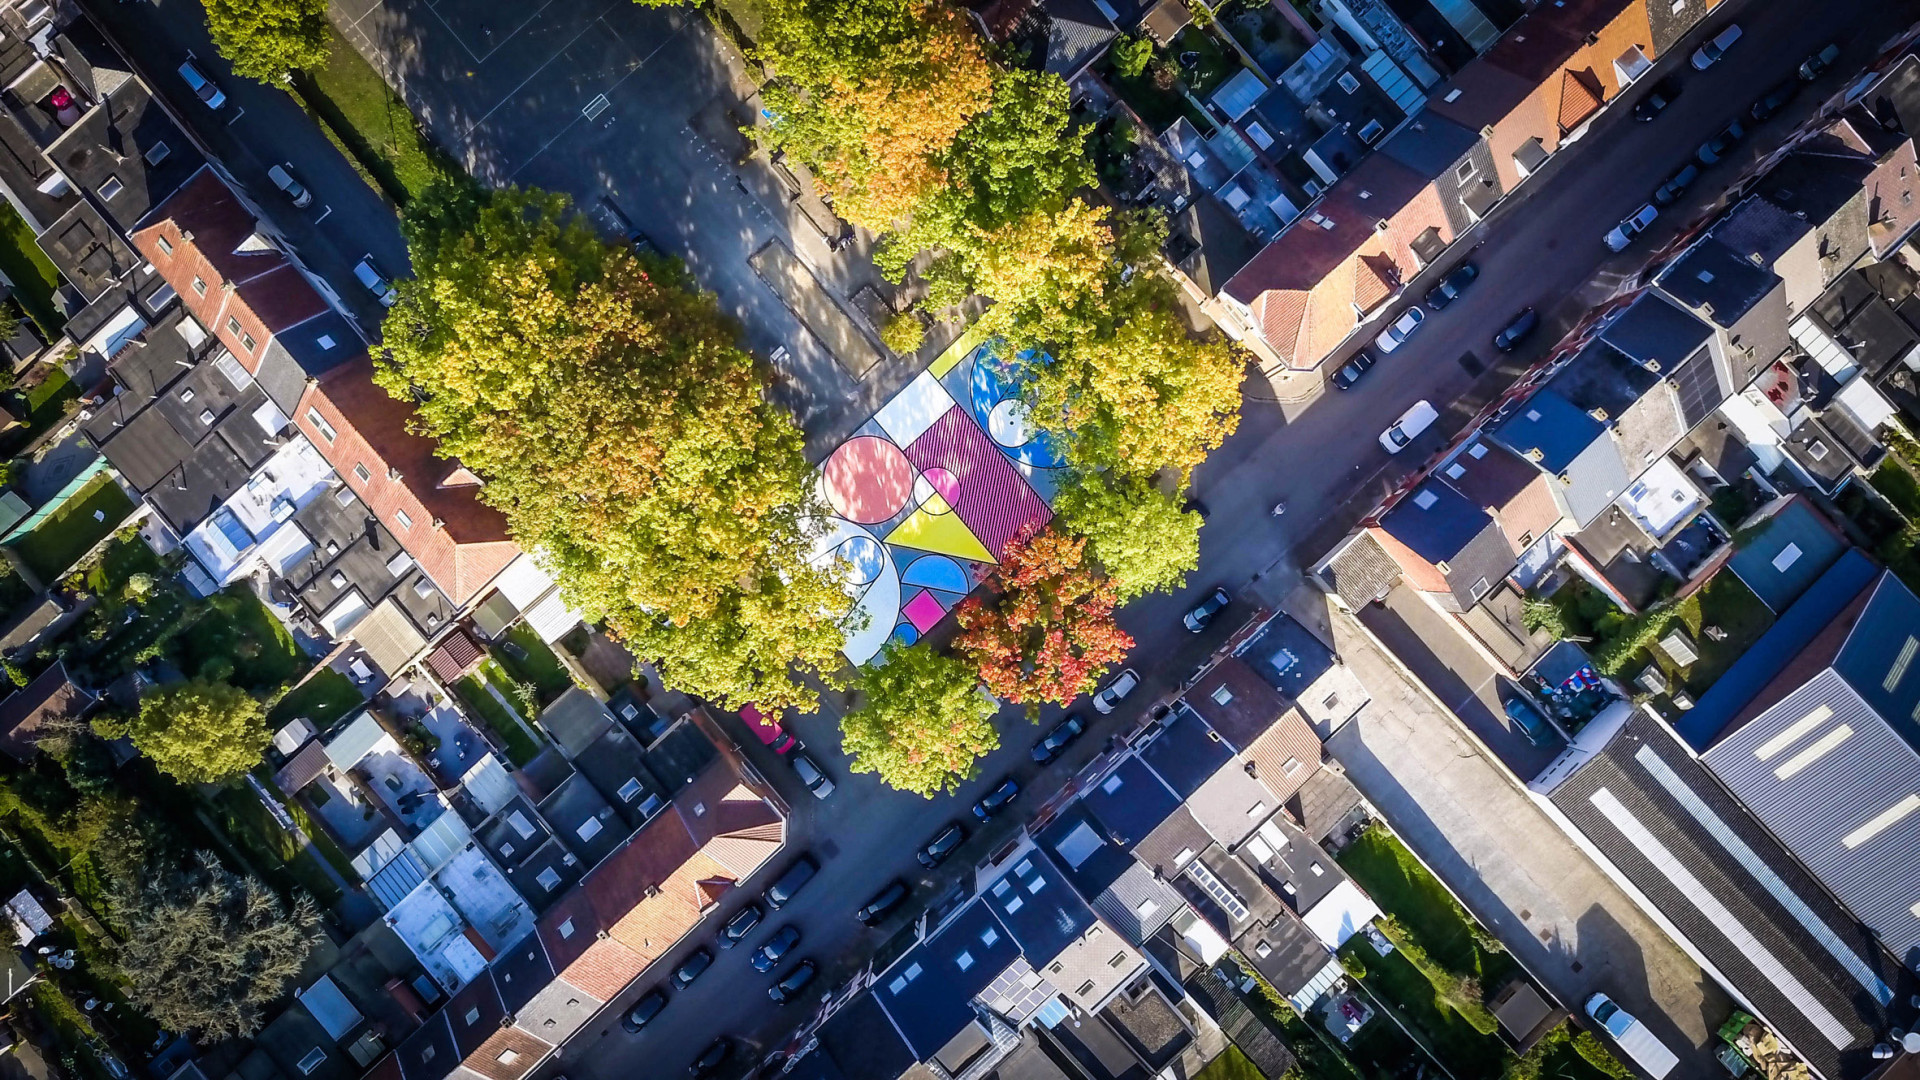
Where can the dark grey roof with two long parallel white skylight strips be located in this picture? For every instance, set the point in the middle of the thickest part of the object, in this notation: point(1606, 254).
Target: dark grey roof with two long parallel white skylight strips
point(1765, 925)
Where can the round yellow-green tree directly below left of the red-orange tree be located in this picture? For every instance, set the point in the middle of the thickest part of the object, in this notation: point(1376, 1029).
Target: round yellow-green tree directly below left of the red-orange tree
point(923, 722)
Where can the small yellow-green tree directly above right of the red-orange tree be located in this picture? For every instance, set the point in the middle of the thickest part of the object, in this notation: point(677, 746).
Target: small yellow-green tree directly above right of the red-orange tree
point(1141, 537)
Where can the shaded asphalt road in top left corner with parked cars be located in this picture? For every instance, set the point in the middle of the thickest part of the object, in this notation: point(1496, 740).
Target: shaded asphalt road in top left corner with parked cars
point(258, 128)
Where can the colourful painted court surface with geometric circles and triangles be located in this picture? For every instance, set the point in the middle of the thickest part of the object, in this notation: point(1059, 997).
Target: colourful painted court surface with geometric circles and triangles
point(928, 495)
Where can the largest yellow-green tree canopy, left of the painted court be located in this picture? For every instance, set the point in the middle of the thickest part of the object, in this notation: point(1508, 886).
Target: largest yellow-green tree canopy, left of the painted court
point(625, 435)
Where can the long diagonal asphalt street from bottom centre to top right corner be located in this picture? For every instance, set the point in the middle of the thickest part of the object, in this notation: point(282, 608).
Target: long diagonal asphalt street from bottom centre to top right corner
point(1539, 251)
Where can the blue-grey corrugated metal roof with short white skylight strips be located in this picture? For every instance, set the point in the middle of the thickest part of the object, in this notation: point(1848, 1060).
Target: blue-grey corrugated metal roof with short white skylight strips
point(1842, 793)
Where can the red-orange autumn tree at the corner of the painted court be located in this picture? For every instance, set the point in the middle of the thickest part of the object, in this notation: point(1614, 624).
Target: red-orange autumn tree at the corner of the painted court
point(1049, 635)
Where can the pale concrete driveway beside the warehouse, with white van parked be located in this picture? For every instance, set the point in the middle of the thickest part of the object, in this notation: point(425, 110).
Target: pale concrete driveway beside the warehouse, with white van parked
point(1472, 823)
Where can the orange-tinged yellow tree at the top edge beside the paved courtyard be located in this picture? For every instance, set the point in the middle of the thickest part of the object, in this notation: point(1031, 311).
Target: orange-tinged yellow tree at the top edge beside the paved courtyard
point(871, 95)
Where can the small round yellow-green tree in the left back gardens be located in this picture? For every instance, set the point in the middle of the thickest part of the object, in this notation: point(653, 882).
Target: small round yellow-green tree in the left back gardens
point(197, 731)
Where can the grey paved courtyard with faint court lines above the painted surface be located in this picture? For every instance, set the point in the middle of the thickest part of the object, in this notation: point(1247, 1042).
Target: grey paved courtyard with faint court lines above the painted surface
point(636, 112)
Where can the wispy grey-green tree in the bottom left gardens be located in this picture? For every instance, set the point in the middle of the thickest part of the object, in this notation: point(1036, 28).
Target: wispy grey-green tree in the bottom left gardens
point(208, 950)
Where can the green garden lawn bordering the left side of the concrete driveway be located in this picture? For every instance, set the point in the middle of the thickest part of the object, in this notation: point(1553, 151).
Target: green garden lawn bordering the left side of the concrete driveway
point(1403, 887)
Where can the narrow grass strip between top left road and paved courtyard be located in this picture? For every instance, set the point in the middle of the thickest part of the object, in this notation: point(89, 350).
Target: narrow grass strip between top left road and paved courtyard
point(373, 126)
